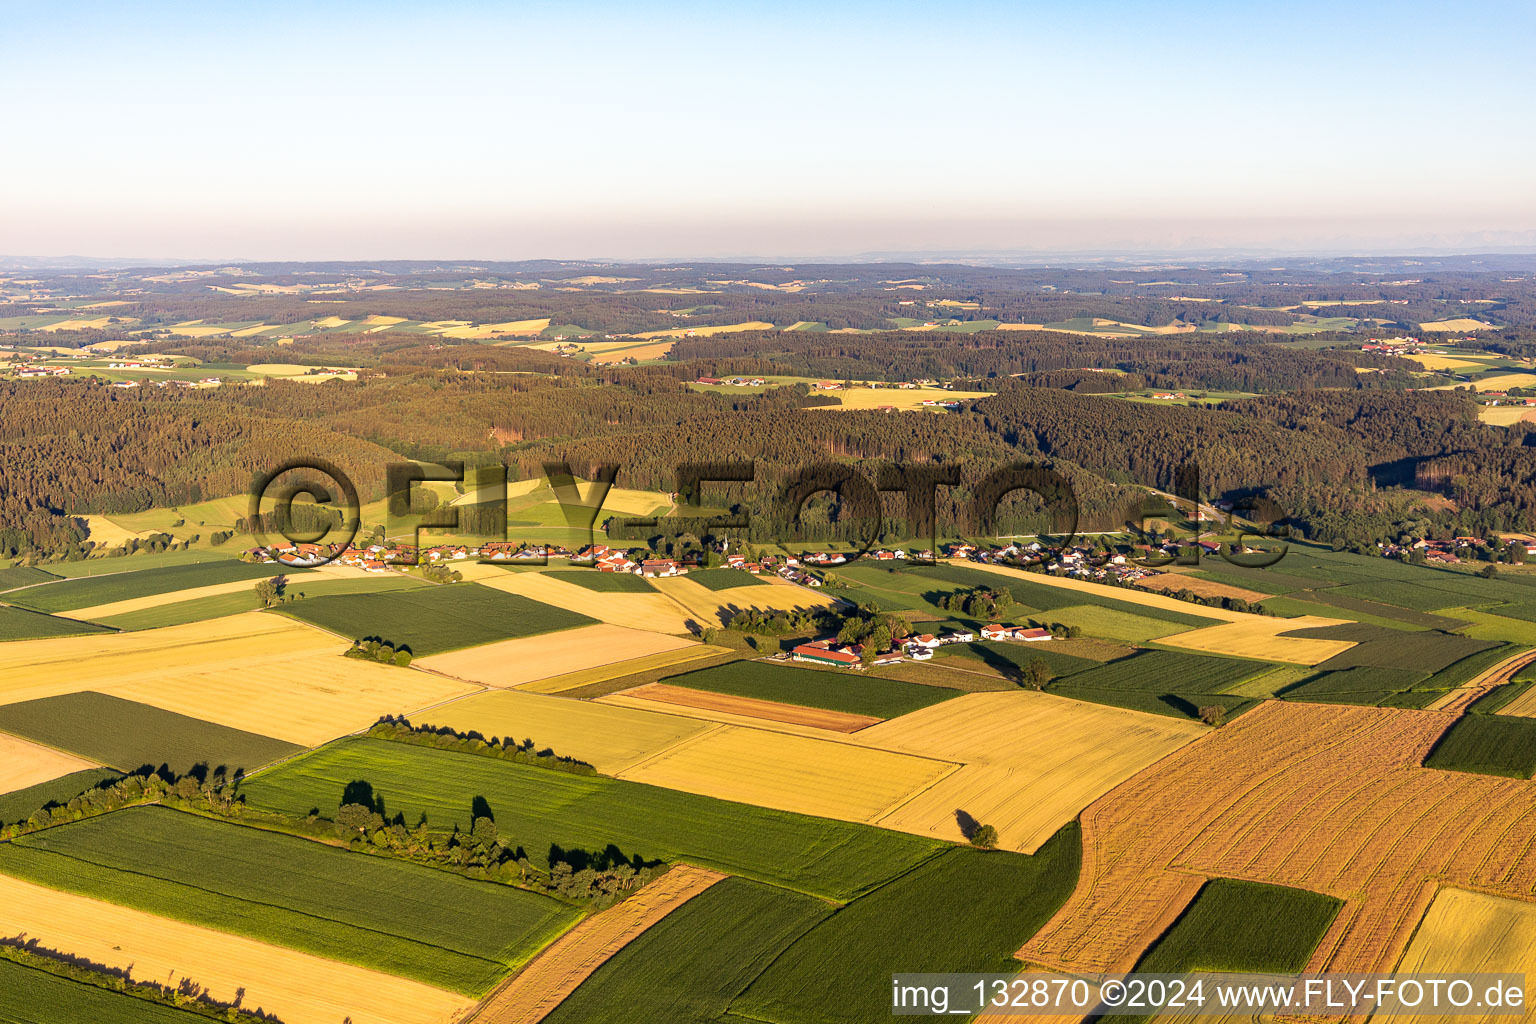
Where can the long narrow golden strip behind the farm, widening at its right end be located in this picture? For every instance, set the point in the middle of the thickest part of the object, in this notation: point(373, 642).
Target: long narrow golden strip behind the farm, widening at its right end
point(1242, 635)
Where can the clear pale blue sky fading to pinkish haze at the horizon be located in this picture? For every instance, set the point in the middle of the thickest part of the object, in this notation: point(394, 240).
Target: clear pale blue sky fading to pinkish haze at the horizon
point(657, 130)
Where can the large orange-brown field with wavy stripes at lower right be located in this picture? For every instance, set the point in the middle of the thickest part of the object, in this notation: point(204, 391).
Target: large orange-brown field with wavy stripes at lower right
point(1322, 798)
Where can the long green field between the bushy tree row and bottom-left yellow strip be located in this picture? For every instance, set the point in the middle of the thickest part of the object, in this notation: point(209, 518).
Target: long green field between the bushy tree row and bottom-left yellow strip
point(402, 919)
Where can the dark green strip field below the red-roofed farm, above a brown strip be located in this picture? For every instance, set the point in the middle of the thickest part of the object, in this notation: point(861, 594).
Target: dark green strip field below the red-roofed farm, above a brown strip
point(832, 690)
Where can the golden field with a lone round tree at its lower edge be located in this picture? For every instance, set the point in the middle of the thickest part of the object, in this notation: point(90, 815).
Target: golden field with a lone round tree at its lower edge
point(1031, 761)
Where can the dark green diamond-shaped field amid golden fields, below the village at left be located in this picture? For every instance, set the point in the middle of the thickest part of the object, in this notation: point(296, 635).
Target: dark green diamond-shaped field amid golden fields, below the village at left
point(431, 621)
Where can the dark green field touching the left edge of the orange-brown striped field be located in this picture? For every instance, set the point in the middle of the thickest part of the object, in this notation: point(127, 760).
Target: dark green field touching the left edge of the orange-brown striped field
point(961, 913)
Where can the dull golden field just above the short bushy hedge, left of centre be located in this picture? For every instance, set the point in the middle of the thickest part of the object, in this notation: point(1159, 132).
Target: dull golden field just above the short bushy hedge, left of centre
point(609, 739)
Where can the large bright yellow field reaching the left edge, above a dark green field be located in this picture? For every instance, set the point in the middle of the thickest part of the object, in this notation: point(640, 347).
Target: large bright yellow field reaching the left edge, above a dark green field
point(253, 672)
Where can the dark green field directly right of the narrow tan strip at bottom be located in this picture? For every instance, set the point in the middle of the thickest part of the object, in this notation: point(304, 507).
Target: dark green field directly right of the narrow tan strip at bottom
point(687, 968)
